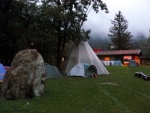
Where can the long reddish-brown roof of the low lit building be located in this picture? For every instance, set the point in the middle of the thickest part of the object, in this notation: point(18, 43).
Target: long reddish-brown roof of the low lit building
point(119, 52)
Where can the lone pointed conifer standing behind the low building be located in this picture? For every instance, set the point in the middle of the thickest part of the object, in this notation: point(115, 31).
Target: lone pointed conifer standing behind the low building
point(119, 35)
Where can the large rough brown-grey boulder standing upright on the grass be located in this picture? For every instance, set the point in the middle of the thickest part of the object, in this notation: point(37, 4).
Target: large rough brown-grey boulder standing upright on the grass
point(26, 76)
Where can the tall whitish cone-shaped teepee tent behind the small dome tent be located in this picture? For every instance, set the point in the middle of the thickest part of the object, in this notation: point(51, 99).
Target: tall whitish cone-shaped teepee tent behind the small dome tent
point(82, 53)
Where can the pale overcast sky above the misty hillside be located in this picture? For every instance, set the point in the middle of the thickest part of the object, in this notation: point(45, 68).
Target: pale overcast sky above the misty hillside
point(136, 12)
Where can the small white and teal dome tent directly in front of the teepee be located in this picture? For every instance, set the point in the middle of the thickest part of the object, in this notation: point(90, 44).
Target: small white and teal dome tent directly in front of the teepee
point(83, 70)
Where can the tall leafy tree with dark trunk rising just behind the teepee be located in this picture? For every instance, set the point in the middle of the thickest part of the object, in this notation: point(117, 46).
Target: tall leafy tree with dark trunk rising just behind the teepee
point(66, 18)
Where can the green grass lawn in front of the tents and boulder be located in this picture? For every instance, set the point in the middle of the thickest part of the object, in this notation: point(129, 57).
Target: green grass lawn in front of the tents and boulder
point(119, 92)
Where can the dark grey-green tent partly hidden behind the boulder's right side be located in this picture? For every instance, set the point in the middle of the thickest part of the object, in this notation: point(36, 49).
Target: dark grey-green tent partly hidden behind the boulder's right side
point(52, 71)
